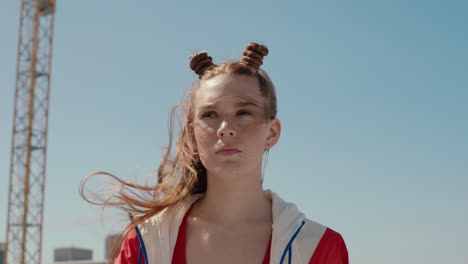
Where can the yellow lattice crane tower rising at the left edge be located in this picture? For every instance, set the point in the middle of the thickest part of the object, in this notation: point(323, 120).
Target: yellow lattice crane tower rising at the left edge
point(29, 138)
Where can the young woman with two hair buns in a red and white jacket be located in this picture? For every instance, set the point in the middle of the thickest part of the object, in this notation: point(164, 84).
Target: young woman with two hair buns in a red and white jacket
point(209, 205)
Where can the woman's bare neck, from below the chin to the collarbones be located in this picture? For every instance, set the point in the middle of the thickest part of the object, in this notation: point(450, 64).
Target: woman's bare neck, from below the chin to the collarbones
point(240, 200)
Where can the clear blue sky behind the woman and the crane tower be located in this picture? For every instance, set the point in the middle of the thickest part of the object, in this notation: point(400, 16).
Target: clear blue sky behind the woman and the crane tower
point(372, 97)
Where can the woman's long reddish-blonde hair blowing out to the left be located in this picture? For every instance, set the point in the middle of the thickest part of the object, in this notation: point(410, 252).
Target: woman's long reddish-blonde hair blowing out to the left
point(183, 174)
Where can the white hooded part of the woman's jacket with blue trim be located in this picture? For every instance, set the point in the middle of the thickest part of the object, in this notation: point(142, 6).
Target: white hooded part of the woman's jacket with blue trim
point(294, 237)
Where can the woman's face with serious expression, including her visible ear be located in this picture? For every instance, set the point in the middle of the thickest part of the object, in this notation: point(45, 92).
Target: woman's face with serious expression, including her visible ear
point(230, 127)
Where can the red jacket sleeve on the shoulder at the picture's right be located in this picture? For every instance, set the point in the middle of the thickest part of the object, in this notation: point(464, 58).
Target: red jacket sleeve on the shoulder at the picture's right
point(331, 249)
